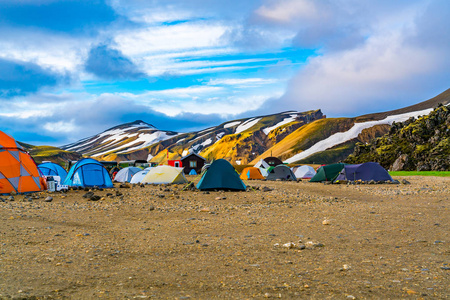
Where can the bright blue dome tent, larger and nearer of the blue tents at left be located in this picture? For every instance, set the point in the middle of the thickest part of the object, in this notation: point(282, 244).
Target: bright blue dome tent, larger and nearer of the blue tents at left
point(88, 172)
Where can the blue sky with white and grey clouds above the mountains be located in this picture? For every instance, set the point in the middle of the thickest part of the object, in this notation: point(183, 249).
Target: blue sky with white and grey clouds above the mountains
point(70, 69)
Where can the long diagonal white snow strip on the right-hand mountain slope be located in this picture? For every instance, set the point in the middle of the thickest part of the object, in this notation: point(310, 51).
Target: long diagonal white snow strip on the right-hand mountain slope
point(341, 137)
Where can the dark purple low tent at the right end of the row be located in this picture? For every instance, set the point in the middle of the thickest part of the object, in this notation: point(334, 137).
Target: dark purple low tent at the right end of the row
point(364, 172)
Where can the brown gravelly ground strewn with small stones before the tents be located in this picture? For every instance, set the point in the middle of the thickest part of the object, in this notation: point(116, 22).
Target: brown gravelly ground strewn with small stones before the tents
point(278, 240)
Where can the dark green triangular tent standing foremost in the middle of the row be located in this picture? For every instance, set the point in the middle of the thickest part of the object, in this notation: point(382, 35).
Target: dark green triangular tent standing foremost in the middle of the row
point(221, 176)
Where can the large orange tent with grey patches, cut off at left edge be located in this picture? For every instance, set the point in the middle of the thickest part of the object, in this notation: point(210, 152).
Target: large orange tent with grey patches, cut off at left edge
point(18, 171)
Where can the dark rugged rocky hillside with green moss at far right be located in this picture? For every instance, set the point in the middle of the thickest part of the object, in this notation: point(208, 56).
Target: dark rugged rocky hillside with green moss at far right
point(421, 144)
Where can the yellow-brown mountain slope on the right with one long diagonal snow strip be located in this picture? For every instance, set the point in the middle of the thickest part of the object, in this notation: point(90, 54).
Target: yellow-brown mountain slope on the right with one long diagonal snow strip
point(333, 139)
